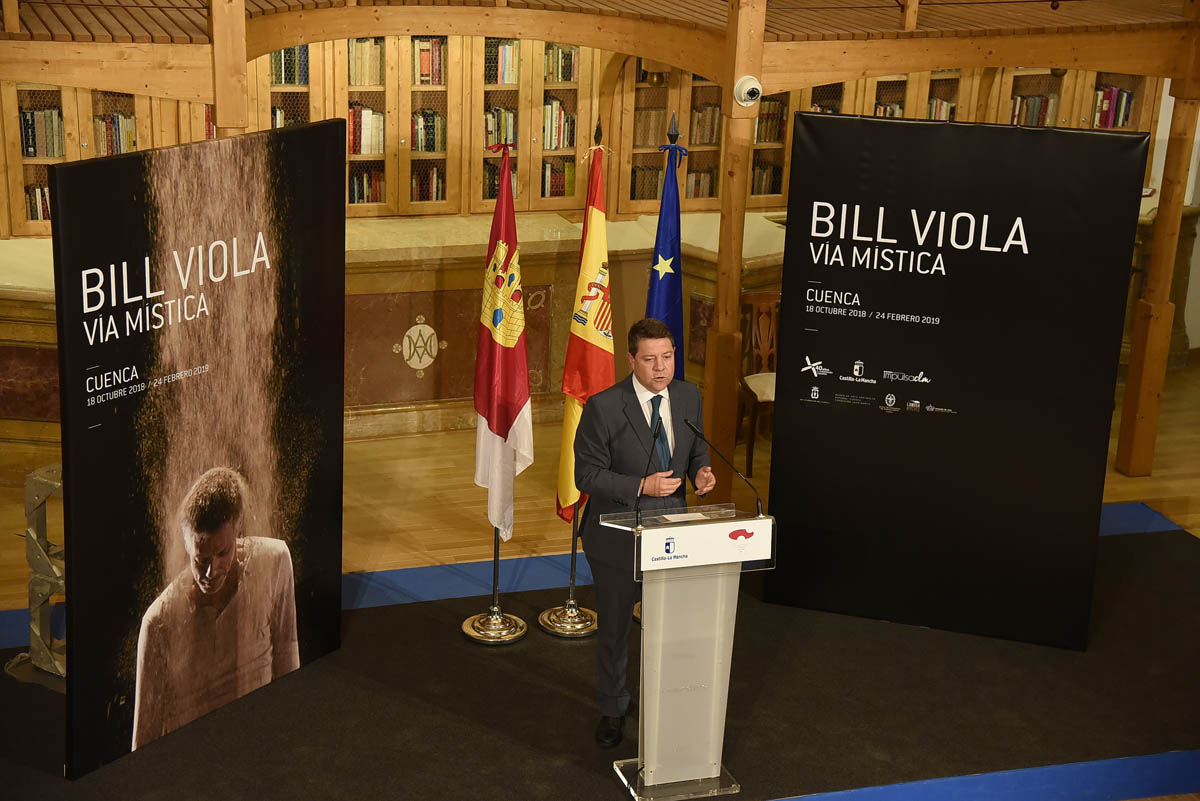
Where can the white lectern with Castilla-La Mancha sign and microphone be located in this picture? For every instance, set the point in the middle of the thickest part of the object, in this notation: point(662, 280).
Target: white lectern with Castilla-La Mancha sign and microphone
point(691, 562)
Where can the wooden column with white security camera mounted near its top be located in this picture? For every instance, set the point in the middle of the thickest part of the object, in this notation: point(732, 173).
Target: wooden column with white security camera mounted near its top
point(723, 354)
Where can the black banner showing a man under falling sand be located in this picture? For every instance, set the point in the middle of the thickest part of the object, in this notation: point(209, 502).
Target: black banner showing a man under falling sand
point(201, 322)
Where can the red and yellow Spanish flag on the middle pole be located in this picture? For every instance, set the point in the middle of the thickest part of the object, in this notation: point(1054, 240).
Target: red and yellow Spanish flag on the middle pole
point(590, 356)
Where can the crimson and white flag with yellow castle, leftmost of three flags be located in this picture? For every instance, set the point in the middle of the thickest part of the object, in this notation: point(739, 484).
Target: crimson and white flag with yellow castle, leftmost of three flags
point(505, 425)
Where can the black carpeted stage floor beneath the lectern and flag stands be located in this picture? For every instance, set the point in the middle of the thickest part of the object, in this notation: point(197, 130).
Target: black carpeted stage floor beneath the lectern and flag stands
point(411, 709)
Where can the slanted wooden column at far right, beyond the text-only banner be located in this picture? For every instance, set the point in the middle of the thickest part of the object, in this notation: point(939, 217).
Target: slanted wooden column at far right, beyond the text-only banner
point(1155, 312)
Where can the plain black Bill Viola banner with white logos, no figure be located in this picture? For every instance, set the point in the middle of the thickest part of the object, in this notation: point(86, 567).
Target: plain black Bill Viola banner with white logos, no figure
point(953, 300)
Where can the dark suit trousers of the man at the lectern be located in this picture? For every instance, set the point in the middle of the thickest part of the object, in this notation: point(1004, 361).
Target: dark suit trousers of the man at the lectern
point(616, 595)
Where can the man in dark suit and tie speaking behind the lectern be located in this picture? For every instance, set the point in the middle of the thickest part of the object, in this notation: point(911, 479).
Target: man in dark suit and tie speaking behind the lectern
point(613, 447)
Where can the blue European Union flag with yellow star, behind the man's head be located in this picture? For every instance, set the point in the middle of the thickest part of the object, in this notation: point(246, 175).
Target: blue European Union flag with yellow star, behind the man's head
point(664, 302)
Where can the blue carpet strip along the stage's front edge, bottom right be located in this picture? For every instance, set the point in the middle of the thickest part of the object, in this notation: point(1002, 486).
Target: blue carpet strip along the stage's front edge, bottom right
point(1111, 780)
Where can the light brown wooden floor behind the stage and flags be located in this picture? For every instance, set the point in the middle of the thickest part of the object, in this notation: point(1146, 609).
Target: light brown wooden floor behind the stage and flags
point(411, 501)
